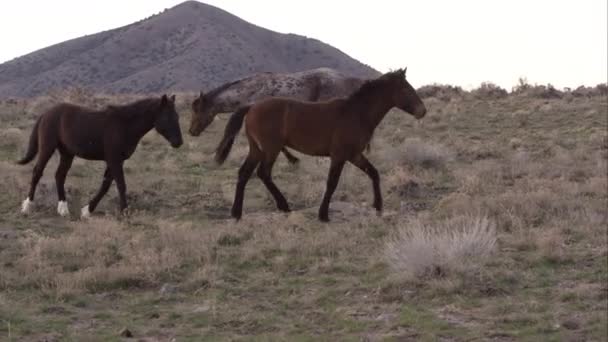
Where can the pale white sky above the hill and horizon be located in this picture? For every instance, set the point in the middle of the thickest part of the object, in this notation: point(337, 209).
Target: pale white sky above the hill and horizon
point(465, 42)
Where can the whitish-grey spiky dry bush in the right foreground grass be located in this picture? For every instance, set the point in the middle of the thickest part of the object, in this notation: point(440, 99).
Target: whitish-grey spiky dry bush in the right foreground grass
point(456, 246)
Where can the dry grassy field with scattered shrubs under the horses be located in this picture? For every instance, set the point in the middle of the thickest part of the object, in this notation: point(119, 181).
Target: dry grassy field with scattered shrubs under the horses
point(495, 228)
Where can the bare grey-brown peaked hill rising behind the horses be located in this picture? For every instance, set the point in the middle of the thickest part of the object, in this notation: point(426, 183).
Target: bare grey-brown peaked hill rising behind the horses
point(188, 47)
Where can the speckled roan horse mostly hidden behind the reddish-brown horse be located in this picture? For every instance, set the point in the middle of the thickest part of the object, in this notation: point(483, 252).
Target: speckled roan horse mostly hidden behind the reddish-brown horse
point(310, 85)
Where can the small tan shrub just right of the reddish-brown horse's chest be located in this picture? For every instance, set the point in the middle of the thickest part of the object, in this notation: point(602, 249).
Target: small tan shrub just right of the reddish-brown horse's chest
point(425, 155)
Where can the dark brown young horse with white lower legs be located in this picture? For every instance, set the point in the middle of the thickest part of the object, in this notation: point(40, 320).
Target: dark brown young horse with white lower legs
point(111, 134)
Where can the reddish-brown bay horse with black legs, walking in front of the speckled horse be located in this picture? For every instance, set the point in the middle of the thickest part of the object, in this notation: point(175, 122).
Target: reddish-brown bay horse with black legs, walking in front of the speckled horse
point(339, 128)
